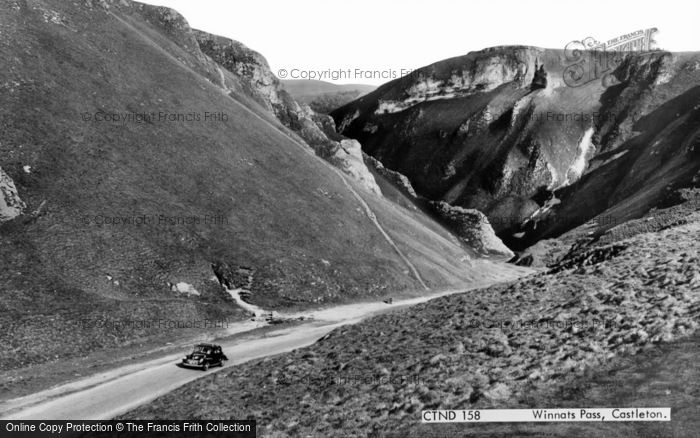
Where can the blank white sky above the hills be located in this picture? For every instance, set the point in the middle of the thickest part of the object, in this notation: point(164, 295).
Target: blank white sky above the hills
point(373, 41)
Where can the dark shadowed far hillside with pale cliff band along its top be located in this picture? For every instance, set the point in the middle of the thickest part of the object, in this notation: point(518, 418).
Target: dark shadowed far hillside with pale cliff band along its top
point(501, 131)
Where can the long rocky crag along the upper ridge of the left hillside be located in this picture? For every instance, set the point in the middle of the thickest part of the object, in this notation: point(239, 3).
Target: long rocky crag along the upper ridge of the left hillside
point(262, 85)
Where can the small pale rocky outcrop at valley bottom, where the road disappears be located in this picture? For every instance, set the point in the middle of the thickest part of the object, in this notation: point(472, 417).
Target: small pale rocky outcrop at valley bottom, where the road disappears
point(473, 227)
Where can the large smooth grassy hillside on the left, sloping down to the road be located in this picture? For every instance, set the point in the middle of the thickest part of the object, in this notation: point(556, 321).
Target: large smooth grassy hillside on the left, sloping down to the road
point(139, 162)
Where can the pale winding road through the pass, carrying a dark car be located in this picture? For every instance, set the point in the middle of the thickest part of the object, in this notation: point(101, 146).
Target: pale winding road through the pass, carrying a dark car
point(108, 394)
